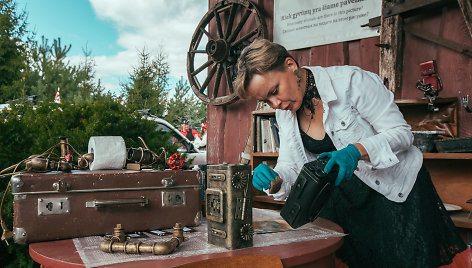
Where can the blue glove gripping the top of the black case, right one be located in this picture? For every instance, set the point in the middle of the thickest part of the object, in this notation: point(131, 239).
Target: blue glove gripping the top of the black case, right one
point(346, 159)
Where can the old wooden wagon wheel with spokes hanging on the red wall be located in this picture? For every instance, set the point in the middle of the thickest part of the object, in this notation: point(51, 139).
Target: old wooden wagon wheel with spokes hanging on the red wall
point(222, 49)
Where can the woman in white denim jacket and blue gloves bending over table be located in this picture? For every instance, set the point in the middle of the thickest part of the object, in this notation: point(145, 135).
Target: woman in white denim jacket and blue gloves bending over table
point(384, 199)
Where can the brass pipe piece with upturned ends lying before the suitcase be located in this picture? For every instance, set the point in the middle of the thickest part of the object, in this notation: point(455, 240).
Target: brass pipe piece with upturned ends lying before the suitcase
point(118, 243)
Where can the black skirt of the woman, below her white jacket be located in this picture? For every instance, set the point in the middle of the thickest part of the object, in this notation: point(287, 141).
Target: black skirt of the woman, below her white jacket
point(383, 233)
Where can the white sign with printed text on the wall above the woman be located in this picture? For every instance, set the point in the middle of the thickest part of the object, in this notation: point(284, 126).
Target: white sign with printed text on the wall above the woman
point(302, 23)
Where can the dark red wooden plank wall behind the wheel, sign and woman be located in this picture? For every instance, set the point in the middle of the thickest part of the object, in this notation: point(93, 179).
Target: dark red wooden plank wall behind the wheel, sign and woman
point(229, 125)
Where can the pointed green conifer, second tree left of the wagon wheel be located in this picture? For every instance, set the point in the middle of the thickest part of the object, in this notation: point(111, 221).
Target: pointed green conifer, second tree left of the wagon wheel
point(147, 88)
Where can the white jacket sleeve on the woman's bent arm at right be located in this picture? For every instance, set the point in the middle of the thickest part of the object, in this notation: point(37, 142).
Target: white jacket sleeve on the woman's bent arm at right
point(375, 104)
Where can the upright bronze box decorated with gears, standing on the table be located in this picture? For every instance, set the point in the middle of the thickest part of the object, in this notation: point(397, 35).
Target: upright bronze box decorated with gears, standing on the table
point(229, 205)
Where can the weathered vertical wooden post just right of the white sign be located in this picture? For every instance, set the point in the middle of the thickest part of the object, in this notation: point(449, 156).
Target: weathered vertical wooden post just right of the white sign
point(391, 49)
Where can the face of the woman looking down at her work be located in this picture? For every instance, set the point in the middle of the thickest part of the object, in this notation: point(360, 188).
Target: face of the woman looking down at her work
point(278, 88)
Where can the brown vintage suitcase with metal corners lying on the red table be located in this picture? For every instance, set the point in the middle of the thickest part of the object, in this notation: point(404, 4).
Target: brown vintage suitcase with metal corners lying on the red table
point(58, 205)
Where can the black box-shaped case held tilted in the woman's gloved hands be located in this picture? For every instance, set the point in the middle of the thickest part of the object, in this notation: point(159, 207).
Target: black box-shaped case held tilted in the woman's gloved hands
point(309, 193)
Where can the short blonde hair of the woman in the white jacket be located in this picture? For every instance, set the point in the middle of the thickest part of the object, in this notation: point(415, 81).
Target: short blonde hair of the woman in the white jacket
point(259, 57)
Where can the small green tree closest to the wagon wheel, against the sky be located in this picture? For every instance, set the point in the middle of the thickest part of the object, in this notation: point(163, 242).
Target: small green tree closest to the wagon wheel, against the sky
point(185, 104)
